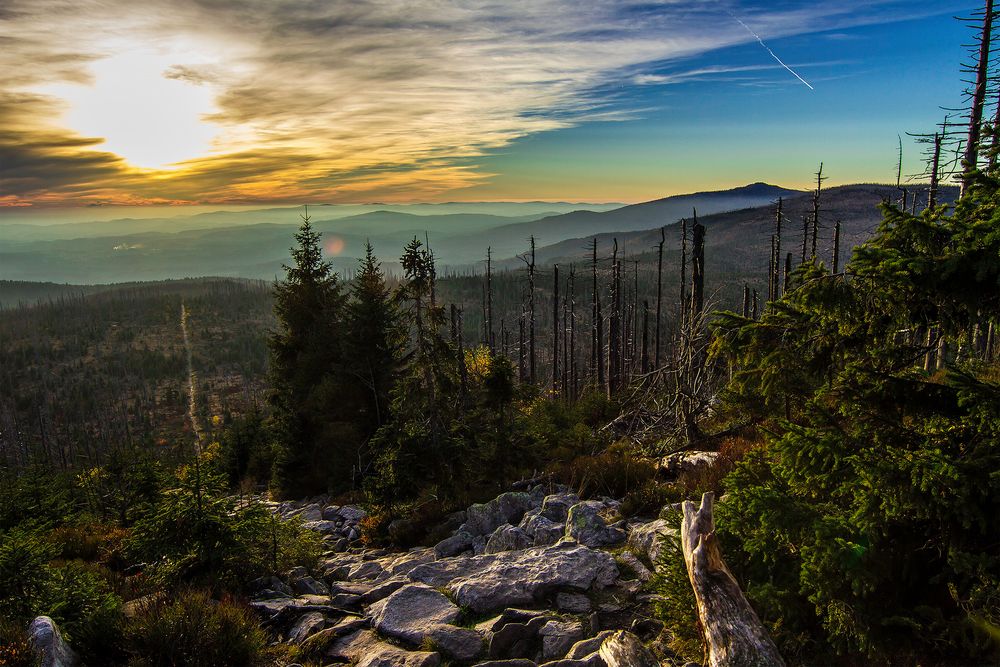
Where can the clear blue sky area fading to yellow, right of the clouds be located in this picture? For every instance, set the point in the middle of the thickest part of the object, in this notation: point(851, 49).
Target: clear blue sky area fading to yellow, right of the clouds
point(870, 83)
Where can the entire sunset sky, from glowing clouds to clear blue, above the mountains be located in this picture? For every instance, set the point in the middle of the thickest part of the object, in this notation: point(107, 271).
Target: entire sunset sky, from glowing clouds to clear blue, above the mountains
point(236, 102)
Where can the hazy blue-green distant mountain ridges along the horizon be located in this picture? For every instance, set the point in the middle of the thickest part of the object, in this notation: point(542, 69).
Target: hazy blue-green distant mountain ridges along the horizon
point(739, 223)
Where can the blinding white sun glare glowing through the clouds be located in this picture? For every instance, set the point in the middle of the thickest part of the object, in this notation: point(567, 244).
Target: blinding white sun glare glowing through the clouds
point(148, 119)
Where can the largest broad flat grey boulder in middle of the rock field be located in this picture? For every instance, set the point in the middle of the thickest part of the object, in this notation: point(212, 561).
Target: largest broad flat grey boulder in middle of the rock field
point(494, 581)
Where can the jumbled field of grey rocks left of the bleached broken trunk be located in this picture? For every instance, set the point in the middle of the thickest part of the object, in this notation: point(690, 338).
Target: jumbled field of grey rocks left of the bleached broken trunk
point(535, 577)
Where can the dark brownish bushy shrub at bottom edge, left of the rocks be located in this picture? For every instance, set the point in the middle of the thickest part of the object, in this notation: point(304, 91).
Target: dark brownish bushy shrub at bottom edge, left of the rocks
point(194, 630)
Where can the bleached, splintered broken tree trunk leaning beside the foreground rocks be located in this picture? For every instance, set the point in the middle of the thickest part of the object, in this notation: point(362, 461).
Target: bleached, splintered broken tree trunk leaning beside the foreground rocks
point(732, 632)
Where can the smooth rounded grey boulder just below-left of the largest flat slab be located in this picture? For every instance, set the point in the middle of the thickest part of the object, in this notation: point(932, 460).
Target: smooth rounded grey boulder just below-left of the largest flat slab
point(406, 614)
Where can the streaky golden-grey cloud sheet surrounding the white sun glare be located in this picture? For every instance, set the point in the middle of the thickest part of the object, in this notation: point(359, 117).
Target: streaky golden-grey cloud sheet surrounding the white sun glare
point(356, 99)
